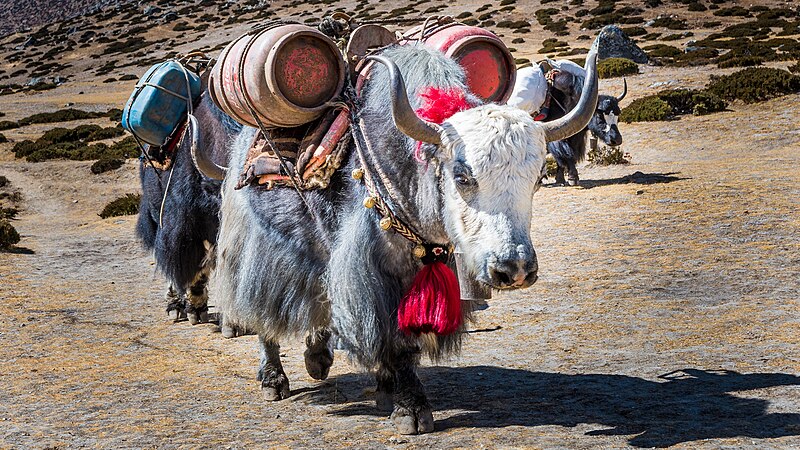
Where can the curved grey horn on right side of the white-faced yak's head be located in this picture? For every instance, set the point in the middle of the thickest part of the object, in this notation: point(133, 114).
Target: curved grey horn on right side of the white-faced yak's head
point(580, 116)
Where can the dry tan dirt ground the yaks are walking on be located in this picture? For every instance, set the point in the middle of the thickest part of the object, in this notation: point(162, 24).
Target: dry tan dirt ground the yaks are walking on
point(666, 314)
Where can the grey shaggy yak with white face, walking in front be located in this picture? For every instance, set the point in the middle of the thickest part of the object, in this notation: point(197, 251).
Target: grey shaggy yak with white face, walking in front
point(282, 270)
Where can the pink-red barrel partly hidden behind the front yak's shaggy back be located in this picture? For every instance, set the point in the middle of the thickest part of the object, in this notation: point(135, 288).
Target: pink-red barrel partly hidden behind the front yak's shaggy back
point(488, 64)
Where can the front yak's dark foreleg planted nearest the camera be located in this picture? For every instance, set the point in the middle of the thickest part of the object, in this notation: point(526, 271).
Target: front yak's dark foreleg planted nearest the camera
point(412, 413)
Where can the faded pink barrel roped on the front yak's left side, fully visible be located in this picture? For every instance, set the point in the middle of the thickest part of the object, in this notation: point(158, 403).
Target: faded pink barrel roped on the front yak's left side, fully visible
point(286, 74)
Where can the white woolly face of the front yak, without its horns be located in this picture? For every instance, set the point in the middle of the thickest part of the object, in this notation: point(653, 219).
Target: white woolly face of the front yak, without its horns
point(493, 158)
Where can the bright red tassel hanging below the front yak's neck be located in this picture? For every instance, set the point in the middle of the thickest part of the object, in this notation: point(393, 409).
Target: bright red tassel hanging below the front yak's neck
point(433, 304)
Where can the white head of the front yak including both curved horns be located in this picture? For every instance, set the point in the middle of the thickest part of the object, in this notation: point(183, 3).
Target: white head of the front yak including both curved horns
point(491, 162)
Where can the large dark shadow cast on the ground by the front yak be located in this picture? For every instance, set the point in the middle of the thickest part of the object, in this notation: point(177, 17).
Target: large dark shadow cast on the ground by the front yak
point(682, 406)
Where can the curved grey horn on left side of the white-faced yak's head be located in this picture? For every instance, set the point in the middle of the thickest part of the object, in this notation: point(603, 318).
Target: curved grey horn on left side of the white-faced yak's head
point(405, 119)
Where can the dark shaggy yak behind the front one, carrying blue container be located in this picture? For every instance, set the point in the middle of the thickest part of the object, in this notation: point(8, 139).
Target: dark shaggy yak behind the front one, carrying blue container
point(179, 213)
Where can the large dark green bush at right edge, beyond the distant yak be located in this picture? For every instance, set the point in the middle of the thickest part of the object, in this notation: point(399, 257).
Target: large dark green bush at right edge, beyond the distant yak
point(754, 84)
